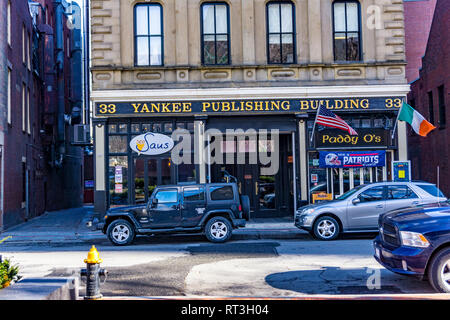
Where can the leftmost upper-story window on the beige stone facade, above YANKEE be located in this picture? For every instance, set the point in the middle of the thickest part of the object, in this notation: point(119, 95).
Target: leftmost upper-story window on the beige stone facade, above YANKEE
point(148, 35)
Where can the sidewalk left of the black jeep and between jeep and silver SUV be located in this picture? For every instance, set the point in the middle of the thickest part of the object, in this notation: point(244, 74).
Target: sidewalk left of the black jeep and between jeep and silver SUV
point(70, 226)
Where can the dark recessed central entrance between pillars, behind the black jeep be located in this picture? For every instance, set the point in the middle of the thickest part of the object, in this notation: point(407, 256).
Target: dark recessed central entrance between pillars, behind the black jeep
point(270, 195)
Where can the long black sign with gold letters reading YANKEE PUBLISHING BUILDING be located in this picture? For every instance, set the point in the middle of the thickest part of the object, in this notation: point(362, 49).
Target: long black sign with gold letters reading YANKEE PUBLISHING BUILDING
point(186, 108)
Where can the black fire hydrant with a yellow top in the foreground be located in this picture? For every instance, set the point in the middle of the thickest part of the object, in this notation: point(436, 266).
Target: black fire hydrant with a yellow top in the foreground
point(92, 274)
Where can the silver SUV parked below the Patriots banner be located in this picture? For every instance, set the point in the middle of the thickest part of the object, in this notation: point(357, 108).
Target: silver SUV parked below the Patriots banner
point(358, 209)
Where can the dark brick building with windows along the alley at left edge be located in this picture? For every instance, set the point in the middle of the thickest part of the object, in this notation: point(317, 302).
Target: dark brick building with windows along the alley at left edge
point(41, 171)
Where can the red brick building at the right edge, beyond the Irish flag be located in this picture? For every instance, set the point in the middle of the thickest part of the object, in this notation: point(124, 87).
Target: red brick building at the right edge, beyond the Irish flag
point(430, 96)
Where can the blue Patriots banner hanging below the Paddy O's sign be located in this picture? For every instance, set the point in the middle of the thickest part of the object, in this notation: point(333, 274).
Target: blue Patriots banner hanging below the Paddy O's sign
point(352, 159)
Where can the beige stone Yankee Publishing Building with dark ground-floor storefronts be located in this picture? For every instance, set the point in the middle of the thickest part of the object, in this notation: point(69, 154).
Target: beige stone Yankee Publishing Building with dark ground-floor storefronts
point(244, 64)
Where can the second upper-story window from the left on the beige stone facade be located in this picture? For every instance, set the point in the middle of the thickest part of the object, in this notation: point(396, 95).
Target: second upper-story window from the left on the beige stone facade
point(215, 33)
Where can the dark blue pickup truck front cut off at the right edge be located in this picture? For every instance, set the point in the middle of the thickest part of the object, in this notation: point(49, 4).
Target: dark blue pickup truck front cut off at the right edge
point(416, 242)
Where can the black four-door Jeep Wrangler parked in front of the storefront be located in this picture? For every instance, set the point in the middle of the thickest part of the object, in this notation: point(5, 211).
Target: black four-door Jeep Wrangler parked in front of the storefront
point(214, 209)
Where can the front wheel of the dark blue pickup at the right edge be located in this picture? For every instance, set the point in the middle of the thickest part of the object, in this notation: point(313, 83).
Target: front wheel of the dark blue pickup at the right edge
point(439, 271)
